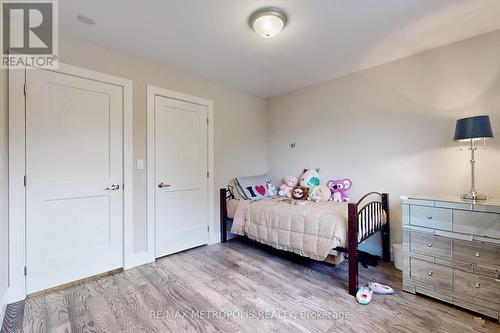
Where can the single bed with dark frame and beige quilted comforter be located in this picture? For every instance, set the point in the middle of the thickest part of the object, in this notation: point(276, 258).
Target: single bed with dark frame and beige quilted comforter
point(314, 230)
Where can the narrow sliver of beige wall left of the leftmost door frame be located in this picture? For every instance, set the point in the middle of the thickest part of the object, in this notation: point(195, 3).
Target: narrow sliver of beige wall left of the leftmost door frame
point(4, 252)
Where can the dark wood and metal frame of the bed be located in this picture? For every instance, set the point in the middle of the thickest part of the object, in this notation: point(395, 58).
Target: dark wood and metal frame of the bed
point(365, 218)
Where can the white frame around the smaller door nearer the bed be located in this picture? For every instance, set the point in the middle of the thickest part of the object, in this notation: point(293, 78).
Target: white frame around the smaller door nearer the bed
point(153, 91)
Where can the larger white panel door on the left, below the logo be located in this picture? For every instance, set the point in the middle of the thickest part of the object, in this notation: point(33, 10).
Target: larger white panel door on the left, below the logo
point(73, 157)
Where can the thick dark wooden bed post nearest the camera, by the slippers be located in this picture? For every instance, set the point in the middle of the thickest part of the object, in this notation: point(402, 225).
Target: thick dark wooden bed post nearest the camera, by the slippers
point(352, 247)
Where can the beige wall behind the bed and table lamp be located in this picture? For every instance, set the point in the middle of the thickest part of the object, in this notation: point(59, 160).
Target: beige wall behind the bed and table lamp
point(390, 128)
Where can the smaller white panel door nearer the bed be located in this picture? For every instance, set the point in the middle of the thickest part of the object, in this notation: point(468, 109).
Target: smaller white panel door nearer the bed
point(181, 192)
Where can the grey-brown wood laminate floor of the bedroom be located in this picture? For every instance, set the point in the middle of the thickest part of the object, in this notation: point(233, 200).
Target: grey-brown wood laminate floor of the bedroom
point(236, 287)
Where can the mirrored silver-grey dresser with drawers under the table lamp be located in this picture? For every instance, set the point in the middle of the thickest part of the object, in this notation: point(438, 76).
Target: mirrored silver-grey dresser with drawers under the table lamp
point(451, 251)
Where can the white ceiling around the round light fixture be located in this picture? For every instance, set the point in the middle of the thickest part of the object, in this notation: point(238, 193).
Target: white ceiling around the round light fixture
point(324, 39)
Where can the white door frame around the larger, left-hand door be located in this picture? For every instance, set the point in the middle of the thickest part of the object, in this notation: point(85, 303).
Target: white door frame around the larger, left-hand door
point(17, 165)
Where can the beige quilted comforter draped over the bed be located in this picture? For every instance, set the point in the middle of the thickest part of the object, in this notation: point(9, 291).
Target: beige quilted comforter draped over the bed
point(311, 229)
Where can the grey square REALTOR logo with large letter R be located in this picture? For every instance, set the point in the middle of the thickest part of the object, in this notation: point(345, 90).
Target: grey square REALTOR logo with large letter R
point(29, 34)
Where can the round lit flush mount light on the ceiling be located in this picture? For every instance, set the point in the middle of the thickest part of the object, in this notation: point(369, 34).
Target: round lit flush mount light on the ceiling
point(268, 22)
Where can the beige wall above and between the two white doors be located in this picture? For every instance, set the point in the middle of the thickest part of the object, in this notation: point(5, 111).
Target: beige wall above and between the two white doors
point(240, 130)
